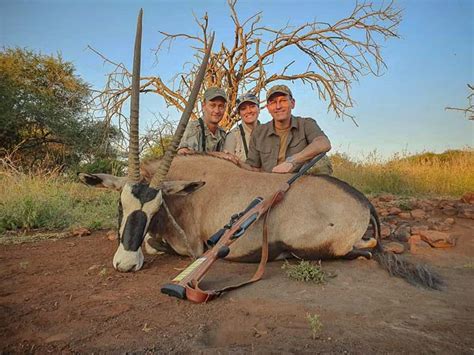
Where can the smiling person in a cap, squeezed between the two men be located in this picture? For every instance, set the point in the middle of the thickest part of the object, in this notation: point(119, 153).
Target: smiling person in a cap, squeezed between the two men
point(238, 139)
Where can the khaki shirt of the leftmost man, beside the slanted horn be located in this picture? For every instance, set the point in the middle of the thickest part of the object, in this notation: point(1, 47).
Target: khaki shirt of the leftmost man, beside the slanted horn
point(192, 138)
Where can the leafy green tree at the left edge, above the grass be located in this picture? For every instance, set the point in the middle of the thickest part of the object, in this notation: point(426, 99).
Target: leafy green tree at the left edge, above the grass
point(44, 117)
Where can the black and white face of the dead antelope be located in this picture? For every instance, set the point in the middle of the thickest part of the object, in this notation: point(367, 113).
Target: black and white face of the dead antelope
point(138, 204)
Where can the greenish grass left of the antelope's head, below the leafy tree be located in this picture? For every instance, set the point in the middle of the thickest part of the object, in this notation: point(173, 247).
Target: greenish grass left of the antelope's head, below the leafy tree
point(52, 202)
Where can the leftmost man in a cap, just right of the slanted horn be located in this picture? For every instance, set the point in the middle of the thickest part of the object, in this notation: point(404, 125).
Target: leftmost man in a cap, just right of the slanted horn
point(204, 134)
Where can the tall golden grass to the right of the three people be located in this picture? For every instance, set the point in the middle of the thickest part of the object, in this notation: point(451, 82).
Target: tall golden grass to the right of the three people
point(428, 174)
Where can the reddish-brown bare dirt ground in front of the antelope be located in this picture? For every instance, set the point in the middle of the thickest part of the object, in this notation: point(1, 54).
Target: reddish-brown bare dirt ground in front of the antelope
point(64, 296)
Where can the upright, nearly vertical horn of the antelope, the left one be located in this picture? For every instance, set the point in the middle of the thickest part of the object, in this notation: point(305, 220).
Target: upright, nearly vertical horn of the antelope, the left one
point(133, 156)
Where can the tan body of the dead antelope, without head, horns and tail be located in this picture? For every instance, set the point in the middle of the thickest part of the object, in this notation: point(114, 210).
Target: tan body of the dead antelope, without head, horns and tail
point(320, 217)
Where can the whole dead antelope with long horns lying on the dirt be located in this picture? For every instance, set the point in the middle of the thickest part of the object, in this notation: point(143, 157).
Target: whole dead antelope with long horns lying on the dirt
point(320, 217)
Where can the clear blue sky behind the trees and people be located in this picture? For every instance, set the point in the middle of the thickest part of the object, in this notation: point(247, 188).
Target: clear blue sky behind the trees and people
point(401, 111)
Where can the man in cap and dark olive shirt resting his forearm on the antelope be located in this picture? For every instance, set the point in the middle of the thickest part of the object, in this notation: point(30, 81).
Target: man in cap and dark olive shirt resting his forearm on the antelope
point(285, 143)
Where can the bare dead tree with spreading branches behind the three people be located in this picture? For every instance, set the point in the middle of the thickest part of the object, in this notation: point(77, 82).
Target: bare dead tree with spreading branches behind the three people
point(335, 56)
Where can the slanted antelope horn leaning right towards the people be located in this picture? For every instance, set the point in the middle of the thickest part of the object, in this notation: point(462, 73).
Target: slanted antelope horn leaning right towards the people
point(171, 151)
